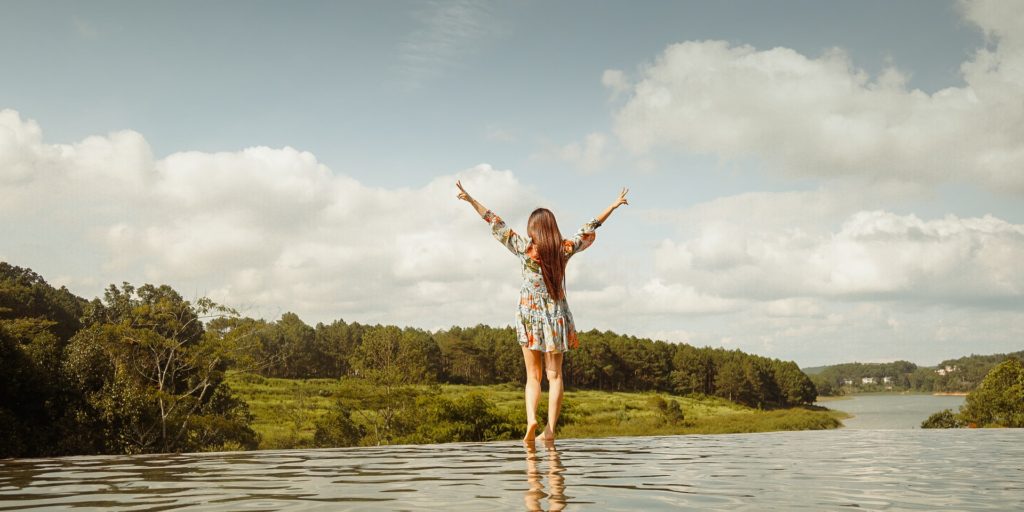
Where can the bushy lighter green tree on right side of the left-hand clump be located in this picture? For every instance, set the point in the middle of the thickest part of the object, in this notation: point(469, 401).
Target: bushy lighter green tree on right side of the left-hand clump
point(152, 379)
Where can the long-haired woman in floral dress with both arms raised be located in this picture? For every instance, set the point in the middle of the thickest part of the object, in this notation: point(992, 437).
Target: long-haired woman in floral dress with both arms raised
point(543, 322)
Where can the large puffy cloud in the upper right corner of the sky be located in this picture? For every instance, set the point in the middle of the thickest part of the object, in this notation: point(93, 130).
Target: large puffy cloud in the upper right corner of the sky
point(825, 117)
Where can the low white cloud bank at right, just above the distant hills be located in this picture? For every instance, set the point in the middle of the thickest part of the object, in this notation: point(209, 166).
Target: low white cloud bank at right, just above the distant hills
point(874, 255)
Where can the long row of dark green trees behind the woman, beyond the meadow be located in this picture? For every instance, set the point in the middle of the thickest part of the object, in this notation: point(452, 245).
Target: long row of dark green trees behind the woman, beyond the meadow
point(485, 355)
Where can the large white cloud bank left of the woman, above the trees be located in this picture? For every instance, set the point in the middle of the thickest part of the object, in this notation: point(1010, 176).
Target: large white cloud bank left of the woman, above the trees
point(265, 229)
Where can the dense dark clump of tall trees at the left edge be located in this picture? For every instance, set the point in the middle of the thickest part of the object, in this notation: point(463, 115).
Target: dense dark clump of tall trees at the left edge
point(134, 373)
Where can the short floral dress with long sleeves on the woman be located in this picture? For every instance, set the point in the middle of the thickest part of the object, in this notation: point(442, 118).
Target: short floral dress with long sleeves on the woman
point(541, 323)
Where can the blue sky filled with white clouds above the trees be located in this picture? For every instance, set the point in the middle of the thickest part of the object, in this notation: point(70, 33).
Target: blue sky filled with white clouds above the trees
point(817, 182)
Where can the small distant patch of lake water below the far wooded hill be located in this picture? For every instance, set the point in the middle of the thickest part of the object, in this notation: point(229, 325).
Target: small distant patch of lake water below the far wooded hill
point(892, 411)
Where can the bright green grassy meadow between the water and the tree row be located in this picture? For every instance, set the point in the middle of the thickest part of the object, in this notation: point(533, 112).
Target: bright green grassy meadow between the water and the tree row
point(286, 411)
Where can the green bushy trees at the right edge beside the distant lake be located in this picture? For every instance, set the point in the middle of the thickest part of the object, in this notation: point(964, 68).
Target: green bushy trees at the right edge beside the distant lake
point(999, 402)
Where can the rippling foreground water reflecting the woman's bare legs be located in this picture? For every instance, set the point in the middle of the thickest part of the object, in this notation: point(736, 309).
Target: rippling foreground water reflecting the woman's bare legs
point(809, 471)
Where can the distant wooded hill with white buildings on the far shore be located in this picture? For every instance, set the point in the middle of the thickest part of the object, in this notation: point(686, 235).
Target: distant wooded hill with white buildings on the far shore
point(960, 376)
